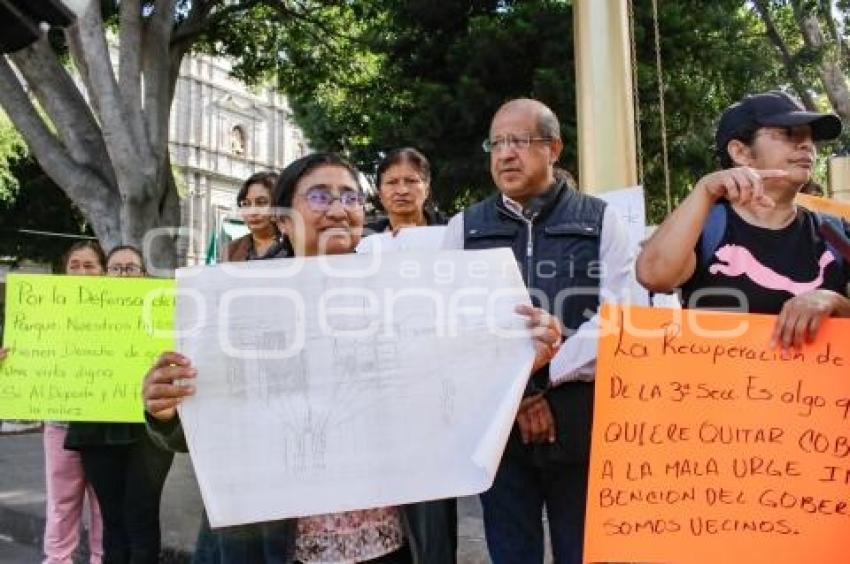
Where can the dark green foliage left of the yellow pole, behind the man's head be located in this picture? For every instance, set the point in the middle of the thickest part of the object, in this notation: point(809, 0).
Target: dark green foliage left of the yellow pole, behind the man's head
point(421, 72)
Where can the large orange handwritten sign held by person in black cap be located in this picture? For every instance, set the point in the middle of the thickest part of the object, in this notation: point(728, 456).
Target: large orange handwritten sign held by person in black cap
point(710, 447)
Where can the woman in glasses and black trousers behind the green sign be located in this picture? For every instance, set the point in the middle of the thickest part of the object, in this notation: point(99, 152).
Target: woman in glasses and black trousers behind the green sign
point(123, 465)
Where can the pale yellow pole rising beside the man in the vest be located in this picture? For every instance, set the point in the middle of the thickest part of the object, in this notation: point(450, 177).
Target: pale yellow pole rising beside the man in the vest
point(604, 95)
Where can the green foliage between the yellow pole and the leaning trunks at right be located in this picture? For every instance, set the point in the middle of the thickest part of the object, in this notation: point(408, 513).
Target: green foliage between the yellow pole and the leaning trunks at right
point(712, 53)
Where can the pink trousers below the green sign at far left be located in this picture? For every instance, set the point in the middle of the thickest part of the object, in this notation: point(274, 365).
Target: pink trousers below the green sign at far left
point(66, 490)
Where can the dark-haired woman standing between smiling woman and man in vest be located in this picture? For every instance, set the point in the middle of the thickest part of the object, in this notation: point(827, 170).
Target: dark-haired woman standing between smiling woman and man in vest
point(404, 188)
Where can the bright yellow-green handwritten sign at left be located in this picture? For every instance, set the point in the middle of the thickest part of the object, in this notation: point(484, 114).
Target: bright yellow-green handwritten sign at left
point(81, 345)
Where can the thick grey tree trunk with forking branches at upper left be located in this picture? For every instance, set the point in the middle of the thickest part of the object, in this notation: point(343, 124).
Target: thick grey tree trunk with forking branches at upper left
point(106, 149)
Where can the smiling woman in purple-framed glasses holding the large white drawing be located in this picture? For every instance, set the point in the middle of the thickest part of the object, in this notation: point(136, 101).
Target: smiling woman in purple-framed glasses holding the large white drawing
point(323, 193)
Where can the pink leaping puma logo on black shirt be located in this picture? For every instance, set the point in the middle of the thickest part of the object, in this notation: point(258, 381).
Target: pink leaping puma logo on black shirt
point(740, 261)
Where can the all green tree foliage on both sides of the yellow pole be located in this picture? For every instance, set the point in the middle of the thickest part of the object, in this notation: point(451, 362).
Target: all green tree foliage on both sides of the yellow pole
point(430, 73)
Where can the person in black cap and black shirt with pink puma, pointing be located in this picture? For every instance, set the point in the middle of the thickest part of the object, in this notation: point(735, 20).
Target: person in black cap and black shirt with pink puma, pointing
point(739, 241)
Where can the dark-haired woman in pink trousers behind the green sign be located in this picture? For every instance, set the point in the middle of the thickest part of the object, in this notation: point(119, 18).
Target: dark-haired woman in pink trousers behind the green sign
point(67, 486)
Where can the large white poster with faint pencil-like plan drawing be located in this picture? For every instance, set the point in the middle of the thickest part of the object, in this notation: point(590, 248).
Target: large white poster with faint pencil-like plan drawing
point(335, 383)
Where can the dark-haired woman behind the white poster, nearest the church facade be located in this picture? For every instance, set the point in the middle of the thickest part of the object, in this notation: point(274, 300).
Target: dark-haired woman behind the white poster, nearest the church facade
point(265, 239)
